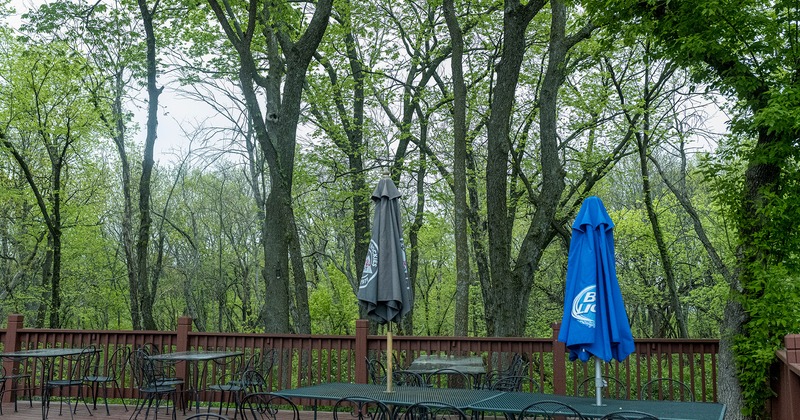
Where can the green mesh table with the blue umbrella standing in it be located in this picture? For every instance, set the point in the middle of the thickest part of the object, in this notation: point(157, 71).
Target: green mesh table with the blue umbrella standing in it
point(514, 402)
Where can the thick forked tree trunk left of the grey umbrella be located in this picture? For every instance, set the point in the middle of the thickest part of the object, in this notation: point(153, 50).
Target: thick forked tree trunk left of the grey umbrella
point(288, 58)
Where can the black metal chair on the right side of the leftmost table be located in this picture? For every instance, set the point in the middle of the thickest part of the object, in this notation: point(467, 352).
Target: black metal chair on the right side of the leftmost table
point(75, 368)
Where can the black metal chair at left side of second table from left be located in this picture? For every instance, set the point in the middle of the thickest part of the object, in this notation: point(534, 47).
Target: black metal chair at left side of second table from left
point(151, 389)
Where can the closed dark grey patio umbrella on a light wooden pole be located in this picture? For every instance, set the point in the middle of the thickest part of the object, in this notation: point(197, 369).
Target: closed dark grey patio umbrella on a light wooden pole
point(384, 289)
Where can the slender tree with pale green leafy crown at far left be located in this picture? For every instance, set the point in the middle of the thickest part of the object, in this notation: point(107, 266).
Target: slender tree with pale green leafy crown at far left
point(45, 101)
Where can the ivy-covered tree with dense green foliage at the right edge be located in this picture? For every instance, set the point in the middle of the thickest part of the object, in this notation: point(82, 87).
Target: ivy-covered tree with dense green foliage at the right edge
point(749, 51)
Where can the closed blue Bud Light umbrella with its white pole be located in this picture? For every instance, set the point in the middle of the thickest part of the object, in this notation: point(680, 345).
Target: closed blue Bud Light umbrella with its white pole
point(595, 322)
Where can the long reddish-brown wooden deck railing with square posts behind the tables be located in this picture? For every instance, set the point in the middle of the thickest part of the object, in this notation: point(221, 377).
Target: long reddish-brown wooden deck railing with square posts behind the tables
point(308, 359)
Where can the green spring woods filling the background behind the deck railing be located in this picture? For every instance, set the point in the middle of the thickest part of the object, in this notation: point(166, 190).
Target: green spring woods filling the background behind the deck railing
point(494, 118)
